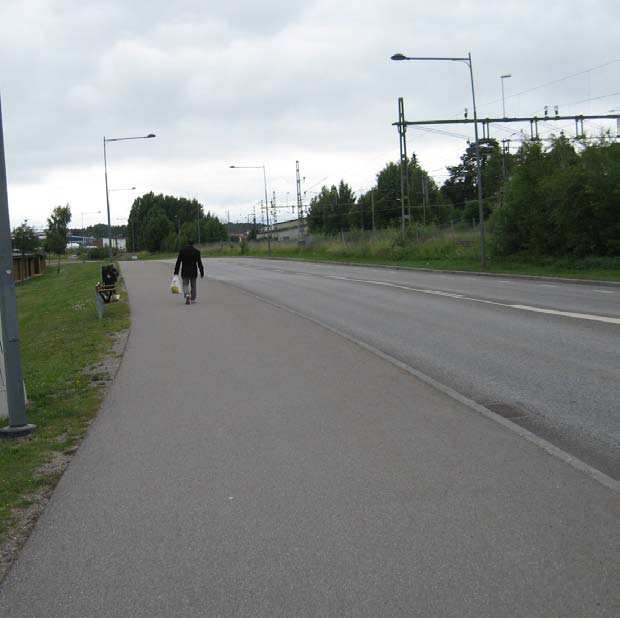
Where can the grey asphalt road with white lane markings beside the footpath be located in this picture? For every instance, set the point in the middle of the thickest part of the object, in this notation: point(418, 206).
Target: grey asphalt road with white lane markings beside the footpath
point(562, 372)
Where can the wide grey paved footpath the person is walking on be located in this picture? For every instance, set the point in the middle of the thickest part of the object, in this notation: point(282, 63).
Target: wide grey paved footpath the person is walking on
point(249, 463)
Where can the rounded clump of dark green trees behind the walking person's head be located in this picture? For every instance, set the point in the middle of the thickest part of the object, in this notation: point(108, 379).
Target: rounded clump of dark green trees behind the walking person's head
point(164, 222)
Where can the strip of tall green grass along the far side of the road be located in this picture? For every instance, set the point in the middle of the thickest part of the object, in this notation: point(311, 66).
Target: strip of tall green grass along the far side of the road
point(433, 250)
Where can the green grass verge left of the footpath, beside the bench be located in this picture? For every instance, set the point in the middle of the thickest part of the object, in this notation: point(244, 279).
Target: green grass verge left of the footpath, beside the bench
point(60, 336)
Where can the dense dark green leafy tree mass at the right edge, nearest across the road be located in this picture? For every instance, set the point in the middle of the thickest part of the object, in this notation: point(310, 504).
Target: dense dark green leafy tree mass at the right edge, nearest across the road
point(561, 201)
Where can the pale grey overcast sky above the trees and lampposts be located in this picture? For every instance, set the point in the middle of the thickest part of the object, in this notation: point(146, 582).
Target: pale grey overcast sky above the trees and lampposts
point(271, 82)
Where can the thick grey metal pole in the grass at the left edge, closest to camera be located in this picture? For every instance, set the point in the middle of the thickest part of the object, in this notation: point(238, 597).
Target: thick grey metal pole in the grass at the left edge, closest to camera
point(16, 401)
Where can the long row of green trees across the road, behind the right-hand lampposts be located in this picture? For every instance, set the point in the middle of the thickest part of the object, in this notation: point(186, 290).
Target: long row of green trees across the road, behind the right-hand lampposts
point(559, 200)
